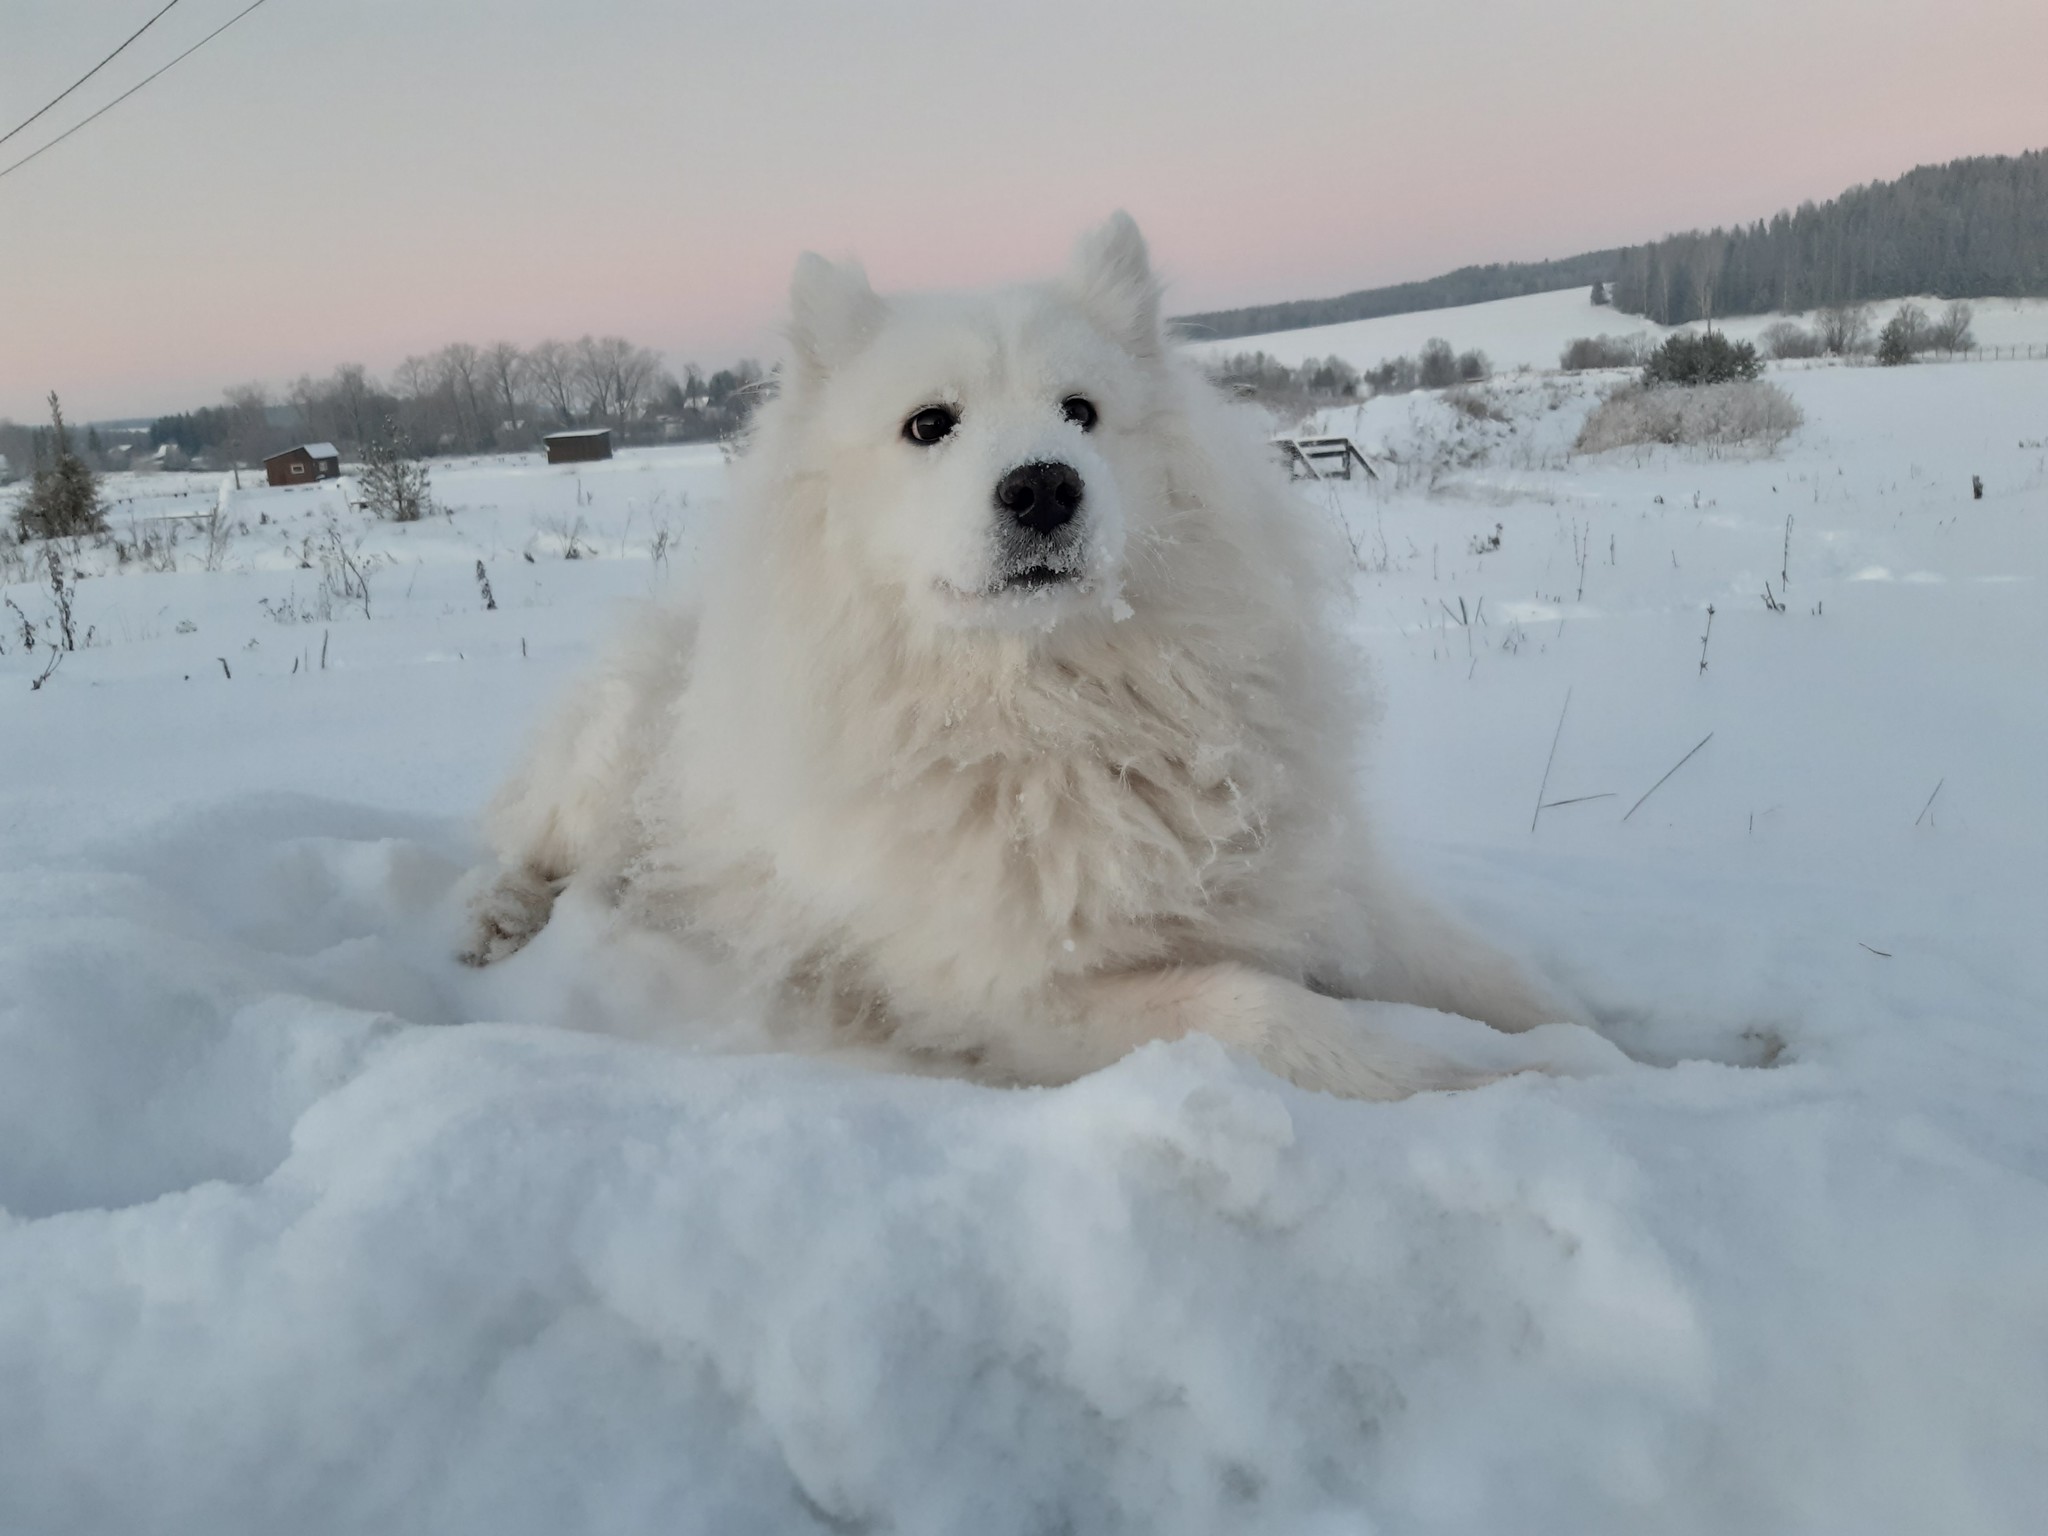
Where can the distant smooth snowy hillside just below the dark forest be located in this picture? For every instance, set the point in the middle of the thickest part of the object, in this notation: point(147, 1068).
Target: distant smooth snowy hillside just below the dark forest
point(1531, 333)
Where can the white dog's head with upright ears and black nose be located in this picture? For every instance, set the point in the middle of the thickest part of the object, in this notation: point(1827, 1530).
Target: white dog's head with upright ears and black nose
point(986, 454)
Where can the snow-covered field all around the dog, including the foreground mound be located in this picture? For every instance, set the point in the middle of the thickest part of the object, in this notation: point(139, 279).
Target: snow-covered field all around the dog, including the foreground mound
point(286, 1250)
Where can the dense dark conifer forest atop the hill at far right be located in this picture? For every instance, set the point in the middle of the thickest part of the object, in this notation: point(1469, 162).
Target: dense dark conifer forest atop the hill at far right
point(1967, 230)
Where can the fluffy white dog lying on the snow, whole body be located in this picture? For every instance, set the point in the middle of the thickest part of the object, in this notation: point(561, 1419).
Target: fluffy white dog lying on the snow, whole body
point(1005, 798)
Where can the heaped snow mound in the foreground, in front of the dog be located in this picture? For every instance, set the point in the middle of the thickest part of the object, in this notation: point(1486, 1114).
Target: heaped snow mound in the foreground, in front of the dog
point(290, 1250)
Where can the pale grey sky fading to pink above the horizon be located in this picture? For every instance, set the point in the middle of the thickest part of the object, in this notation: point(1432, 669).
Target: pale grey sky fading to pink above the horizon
point(357, 183)
